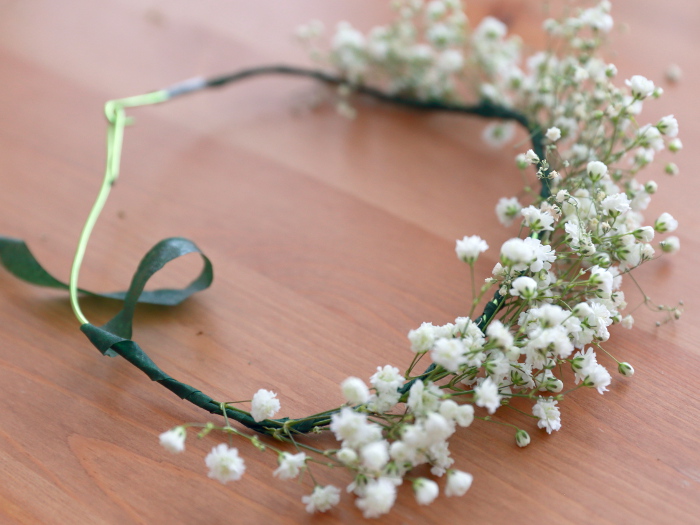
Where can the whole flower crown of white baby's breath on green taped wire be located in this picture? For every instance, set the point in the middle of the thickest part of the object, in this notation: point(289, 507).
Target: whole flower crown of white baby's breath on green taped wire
point(549, 301)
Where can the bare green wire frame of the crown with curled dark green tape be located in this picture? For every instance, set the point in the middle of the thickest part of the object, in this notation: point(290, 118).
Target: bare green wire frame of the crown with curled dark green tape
point(114, 338)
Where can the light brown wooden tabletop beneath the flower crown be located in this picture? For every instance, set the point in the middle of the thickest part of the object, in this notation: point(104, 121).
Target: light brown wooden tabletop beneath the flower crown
point(330, 239)
